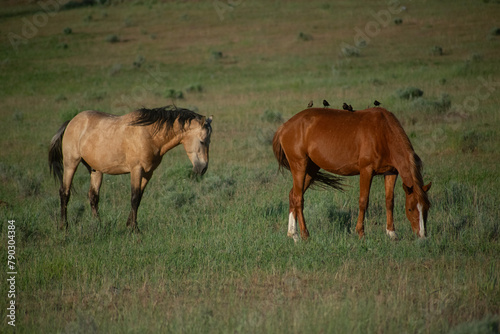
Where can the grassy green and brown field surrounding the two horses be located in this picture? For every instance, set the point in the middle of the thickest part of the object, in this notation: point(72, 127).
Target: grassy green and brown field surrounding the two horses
point(213, 256)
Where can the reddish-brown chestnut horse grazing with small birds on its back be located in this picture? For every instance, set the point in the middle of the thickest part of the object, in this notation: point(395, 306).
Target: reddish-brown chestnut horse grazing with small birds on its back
point(365, 143)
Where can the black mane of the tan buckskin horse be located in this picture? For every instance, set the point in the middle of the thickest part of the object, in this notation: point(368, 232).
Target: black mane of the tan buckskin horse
point(165, 117)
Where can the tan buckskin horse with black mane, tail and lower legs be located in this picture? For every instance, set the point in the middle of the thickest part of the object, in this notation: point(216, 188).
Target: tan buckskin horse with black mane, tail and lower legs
point(133, 143)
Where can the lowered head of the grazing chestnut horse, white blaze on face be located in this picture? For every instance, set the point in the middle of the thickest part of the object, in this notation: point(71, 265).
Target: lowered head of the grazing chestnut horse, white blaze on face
point(417, 206)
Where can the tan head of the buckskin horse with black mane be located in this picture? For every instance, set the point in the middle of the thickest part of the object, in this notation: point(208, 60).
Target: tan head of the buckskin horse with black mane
point(196, 142)
